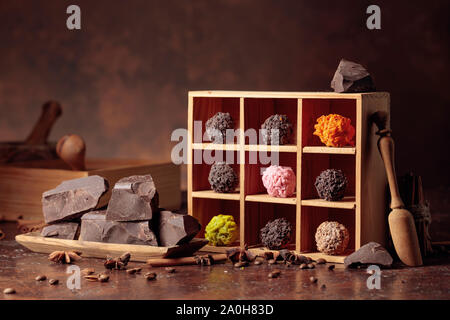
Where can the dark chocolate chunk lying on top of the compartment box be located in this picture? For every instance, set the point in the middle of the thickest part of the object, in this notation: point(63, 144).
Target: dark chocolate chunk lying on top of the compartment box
point(352, 77)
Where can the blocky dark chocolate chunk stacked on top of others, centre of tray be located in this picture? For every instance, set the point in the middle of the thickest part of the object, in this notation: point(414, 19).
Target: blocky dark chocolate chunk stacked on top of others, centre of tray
point(133, 198)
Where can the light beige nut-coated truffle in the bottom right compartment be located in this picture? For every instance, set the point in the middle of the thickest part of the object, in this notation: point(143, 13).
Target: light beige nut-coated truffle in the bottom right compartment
point(332, 238)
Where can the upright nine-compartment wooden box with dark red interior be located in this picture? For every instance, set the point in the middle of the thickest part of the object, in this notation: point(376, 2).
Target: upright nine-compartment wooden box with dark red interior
point(363, 210)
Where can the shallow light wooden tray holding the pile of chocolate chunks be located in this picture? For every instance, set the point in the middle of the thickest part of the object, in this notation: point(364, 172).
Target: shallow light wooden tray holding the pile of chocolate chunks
point(35, 242)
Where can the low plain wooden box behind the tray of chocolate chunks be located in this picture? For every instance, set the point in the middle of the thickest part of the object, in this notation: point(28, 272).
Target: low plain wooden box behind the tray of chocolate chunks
point(22, 185)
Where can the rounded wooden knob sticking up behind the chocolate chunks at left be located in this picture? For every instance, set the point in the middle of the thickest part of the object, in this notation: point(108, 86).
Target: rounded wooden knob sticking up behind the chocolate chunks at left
point(72, 149)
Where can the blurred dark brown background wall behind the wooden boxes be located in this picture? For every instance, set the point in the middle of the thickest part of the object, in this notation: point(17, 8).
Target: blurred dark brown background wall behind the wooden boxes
point(123, 79)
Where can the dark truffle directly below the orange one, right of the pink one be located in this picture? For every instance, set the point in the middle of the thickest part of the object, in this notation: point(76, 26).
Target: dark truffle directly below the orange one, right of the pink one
point(331, 184)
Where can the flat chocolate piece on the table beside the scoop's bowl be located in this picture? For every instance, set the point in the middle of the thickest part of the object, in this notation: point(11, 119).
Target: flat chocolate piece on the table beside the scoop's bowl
point(370, 253)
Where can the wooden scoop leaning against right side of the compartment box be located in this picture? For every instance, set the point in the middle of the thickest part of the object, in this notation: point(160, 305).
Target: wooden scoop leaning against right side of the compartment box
point(401, 221)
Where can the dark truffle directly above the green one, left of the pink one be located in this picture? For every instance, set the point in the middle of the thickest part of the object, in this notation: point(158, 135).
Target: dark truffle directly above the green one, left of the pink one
point(222, 178)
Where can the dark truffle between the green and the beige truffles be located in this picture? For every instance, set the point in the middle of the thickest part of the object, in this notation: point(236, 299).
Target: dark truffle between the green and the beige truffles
point(276, 234)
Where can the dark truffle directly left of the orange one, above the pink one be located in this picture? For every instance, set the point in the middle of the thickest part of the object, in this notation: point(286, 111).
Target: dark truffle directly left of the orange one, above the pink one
point(277, 130)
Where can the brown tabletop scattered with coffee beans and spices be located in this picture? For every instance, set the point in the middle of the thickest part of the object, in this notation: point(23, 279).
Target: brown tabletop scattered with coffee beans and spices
point(19, 267)
